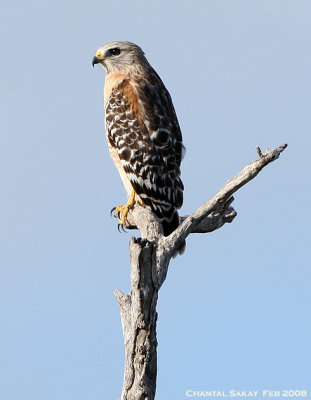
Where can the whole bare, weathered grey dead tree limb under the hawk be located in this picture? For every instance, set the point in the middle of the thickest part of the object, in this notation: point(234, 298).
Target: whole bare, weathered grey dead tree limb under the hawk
point(150, 256)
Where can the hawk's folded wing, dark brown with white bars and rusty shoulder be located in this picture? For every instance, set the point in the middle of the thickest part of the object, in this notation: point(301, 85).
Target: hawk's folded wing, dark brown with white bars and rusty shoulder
point(141, 124)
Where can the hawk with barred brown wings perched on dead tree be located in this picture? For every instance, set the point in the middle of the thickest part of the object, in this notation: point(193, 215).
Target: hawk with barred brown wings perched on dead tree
point(142, 131)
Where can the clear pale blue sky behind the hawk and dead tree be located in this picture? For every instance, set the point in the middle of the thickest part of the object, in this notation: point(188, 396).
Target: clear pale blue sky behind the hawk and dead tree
point(234, 312)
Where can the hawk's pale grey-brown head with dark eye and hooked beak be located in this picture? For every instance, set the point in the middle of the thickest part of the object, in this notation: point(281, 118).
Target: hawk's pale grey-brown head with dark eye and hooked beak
point(119, 57)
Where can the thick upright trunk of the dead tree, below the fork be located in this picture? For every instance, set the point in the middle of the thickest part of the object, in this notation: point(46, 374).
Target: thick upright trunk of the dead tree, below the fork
point(138, 318)
